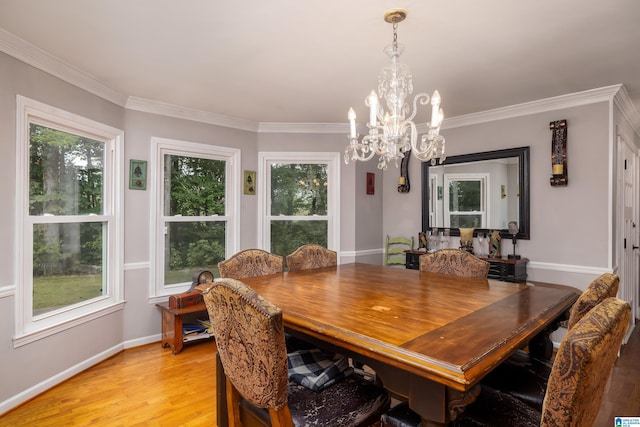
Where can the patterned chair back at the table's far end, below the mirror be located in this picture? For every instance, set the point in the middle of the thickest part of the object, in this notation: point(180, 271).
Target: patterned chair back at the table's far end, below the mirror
point(454, 262)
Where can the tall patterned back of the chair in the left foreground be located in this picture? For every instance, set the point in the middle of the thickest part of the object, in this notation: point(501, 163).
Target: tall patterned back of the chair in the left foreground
point(250, 342)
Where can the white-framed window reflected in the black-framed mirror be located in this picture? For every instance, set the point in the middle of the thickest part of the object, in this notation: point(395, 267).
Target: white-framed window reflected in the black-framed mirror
point(466, 200)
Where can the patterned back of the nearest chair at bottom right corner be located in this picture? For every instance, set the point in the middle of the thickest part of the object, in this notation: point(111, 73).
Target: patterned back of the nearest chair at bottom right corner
point(583, 365)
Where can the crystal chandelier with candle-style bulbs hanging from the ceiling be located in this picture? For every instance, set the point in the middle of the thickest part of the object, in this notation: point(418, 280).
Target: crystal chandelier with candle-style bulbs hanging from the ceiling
point(392, 133)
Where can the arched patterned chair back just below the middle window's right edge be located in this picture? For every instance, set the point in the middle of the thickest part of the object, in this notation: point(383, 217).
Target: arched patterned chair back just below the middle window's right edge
point(251, 263)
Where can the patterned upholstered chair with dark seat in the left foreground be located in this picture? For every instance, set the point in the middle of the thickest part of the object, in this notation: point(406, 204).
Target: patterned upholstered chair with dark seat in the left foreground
point(251, 347)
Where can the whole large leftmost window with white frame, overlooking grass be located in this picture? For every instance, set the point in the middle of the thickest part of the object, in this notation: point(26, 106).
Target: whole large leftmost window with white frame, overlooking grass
point(67, 237)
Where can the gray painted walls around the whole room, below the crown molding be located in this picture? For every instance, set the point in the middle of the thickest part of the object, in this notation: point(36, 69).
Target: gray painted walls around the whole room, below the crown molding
point(570, 226)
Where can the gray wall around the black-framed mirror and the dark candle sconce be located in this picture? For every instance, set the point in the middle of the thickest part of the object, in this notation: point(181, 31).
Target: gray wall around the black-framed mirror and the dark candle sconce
point(570, 226)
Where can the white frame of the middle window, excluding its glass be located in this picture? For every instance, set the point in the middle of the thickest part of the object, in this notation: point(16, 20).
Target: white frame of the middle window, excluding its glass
point(158, 291)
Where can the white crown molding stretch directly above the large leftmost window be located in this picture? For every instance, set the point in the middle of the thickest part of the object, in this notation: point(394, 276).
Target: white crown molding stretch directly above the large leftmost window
point(20, 49)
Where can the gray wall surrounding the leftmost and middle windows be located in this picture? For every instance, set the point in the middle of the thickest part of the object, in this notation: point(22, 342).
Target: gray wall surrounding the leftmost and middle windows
point(32, 368)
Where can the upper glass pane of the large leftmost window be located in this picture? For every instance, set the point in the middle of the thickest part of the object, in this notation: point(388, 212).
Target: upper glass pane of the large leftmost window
point(65, 173)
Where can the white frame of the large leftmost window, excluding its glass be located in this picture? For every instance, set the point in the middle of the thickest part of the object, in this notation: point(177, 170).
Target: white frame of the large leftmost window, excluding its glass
point(29, 328)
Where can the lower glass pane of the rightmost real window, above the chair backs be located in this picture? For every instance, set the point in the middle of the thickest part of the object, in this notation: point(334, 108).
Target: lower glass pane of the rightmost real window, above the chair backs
point(287, 236)
